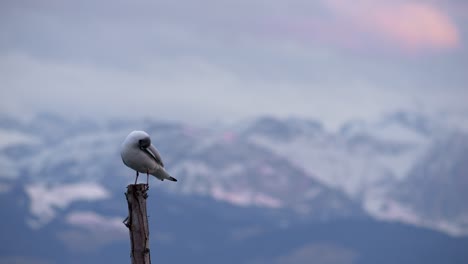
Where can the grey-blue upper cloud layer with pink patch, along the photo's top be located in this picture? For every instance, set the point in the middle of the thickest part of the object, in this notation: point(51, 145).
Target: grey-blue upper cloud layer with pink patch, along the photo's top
point(121, 33)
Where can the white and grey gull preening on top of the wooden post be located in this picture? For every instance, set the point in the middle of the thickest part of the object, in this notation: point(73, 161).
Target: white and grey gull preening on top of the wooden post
point(139, 154)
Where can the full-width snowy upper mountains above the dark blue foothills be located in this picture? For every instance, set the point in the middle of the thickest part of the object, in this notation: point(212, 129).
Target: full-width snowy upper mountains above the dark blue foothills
point(366, 168)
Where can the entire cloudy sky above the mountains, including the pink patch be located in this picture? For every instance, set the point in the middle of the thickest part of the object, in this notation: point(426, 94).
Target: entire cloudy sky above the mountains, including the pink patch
point(212, 60)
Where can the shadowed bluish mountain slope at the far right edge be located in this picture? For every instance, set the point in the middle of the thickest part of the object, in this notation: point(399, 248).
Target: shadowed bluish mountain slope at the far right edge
point(435, 189)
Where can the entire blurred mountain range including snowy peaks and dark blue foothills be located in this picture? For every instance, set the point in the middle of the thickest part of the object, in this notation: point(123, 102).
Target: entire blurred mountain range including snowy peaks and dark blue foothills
point(402, 177)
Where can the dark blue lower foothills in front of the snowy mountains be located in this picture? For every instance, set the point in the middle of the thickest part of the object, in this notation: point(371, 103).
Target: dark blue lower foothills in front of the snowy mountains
point(199, 229)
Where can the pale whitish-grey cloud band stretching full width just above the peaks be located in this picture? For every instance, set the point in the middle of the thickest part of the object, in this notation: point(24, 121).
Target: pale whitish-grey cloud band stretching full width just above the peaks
point(196, 90)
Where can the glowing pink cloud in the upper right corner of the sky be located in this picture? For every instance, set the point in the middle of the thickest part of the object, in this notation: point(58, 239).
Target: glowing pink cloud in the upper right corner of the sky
point(412, 26)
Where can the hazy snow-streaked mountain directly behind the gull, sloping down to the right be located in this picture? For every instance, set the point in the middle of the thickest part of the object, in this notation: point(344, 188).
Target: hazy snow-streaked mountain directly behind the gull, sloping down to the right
point(210, 163)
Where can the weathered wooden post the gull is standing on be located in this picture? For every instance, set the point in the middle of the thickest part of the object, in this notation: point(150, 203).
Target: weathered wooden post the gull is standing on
point(137, 223)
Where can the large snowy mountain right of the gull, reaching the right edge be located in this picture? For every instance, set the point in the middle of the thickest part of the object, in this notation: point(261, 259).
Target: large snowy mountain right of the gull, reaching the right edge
point(371, 162)
